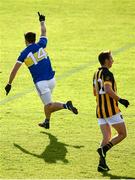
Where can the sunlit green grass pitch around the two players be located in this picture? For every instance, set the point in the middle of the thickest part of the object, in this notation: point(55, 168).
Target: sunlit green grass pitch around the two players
point(77, 31)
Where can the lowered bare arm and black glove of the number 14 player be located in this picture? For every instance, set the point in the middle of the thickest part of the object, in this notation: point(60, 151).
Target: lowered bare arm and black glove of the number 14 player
point(12, 76)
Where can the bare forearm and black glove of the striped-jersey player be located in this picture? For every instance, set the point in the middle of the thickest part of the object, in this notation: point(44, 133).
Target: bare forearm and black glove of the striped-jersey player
point(111, 93)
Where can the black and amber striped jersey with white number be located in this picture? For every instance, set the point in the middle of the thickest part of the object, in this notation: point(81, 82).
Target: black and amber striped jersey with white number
point(106, 106)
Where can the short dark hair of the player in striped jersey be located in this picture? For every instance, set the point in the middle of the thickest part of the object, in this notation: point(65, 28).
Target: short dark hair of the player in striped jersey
point(103, 56)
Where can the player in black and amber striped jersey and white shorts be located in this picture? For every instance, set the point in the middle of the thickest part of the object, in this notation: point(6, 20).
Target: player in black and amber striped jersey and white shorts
point(107, 110)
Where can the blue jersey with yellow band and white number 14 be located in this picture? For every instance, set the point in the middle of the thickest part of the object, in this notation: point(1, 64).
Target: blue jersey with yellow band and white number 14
point(38, 62)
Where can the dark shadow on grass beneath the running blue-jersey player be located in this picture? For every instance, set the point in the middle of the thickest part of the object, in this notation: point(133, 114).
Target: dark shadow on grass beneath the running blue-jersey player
point(55, 151)
